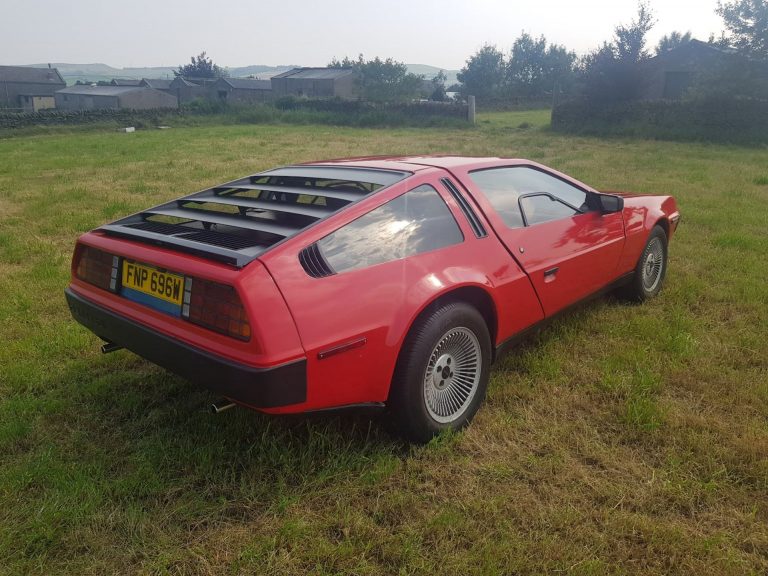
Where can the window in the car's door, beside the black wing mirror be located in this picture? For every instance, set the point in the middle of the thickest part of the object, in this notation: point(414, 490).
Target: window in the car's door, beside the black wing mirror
point(504, 186)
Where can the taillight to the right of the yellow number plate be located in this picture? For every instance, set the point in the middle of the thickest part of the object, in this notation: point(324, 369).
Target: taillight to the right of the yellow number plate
point(215, 306)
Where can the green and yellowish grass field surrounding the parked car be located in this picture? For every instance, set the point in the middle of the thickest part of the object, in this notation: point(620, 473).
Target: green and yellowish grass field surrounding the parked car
point(622, 440)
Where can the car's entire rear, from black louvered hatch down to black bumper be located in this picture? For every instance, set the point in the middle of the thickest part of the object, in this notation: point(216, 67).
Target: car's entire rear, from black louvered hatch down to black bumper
point(182, 286)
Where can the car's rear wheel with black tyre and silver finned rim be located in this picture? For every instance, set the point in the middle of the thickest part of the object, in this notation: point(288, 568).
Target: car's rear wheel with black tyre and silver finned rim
point(438, 383)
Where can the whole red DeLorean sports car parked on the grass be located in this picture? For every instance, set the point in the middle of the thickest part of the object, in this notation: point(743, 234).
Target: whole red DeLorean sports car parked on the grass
point(363, 282)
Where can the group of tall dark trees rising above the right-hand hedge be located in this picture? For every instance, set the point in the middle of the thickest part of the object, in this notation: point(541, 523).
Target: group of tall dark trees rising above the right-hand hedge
point(613, 71)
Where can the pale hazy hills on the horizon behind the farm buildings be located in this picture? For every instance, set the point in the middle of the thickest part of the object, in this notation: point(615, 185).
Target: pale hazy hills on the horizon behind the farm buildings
point(98, 71)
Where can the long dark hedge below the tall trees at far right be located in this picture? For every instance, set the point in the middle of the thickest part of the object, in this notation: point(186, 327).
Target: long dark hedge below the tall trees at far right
point(740, 121)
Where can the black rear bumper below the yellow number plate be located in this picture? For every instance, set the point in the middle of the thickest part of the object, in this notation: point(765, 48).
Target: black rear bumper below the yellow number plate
point(258, 387)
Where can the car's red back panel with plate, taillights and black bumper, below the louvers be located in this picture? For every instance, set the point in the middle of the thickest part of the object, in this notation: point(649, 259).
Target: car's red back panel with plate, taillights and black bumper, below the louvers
point(190, 316)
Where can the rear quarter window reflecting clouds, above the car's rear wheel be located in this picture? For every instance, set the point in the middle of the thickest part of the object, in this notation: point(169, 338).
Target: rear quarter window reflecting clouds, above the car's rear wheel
point(418, 221)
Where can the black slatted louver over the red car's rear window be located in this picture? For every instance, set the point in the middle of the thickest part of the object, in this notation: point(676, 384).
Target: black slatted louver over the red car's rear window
point(237, 221)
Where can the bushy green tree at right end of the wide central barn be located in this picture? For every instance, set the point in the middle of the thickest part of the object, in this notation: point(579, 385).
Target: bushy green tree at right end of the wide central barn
point(382, 80)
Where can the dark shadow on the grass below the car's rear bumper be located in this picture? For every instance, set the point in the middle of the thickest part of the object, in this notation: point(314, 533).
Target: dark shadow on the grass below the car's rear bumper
point(135, 411)
